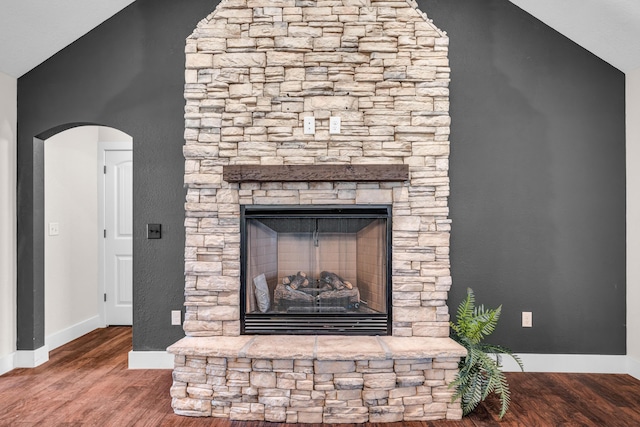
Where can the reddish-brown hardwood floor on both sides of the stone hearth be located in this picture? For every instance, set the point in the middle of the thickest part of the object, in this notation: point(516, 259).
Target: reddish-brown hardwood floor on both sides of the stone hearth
point(87, 383)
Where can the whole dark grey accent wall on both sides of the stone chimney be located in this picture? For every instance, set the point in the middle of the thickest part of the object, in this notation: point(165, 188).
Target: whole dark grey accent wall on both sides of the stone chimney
point(537, 168)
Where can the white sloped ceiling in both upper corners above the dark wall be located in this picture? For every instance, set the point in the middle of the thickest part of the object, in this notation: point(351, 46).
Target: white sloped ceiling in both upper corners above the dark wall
point(31, 31)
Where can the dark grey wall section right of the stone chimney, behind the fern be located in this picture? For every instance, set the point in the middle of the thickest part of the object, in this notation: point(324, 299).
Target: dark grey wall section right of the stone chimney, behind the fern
point(537, 179)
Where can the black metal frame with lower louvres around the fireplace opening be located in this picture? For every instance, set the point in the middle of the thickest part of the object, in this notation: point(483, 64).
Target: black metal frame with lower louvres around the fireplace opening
point(315, 323)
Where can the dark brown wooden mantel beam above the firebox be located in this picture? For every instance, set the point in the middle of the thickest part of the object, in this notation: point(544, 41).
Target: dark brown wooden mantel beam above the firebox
point(302, 173)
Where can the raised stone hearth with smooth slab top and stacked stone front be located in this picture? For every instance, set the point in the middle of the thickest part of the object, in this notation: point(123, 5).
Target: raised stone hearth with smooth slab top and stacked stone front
point(316, 379)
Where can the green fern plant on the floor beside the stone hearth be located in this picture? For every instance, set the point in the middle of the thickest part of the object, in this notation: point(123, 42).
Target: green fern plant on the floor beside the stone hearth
point(479, 373)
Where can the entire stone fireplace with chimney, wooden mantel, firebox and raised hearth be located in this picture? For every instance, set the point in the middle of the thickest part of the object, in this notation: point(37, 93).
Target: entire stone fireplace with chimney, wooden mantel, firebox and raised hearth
point(326, 108)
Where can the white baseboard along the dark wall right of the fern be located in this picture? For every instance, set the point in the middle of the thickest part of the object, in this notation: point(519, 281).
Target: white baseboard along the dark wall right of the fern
point(573, 363)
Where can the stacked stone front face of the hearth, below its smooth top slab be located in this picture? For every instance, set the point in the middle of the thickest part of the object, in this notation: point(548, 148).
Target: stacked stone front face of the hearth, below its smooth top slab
point(315, 391)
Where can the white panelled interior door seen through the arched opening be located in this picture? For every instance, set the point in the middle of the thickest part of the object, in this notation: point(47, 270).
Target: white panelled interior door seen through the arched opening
point(118, 237)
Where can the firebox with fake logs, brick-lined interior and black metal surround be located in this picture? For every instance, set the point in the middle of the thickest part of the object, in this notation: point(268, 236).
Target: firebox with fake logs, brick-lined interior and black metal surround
point(315, 270)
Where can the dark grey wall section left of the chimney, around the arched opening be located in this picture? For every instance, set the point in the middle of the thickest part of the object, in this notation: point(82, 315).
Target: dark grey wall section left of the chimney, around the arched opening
point(128, 74)
